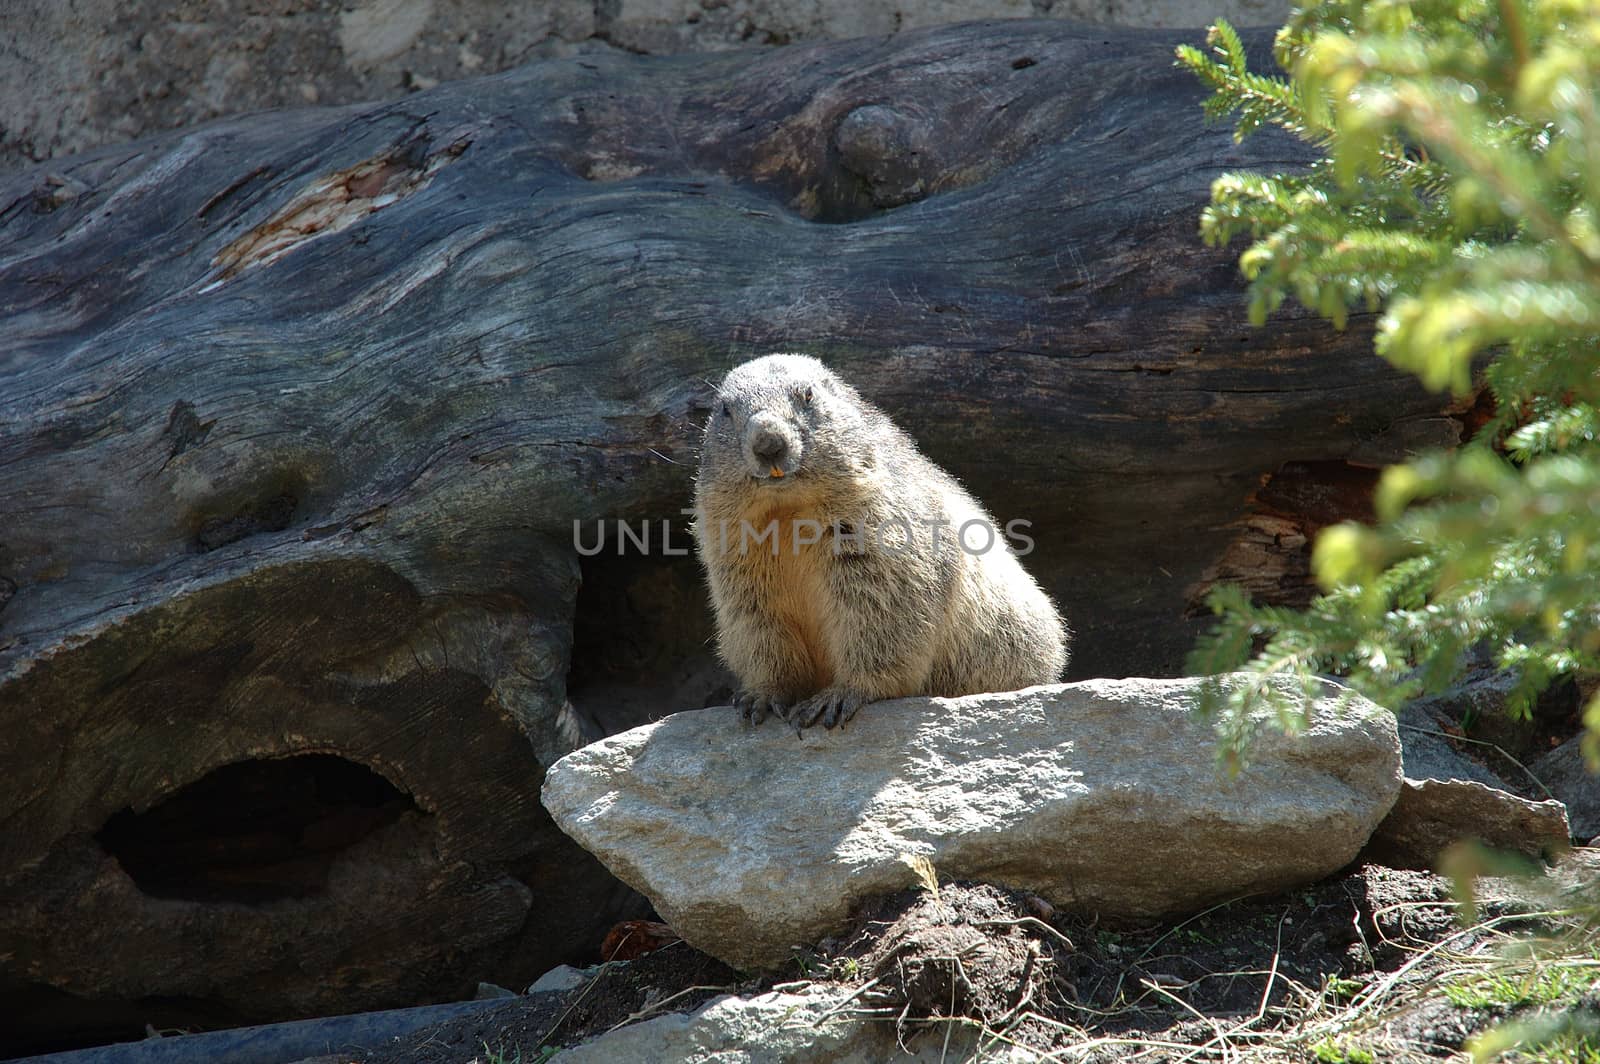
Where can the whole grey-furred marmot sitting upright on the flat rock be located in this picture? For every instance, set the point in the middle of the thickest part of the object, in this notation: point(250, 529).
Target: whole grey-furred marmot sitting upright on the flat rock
point(844, 566)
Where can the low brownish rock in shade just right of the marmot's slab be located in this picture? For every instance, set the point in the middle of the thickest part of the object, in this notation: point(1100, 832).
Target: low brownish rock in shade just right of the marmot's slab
point(1434, 814)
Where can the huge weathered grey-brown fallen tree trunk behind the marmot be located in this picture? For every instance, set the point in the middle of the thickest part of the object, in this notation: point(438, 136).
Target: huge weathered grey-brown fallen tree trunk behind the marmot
point(298, 412)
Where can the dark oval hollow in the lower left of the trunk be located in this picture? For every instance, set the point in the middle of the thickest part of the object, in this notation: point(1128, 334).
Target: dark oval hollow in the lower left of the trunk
point(254, 831)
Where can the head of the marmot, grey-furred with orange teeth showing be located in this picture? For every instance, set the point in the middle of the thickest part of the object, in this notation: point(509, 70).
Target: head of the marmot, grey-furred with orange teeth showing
point(783, 418)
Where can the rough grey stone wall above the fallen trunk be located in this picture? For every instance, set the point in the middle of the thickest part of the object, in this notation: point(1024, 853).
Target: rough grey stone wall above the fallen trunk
point(76, 74)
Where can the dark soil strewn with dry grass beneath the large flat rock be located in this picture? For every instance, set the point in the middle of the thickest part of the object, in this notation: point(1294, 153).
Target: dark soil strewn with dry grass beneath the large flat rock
point(1311, 975)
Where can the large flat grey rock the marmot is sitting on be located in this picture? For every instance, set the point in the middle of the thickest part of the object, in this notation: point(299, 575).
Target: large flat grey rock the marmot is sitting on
point(1098, 796)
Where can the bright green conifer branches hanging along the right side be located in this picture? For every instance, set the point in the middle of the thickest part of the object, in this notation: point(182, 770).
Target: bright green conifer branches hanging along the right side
point(1458, 193)
